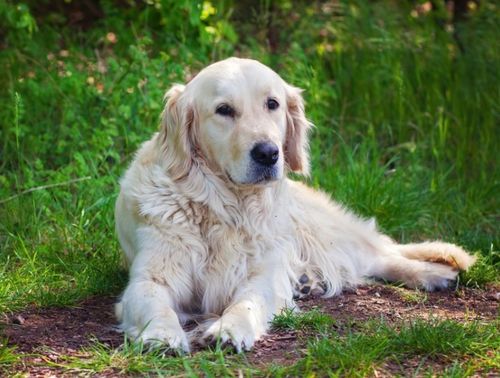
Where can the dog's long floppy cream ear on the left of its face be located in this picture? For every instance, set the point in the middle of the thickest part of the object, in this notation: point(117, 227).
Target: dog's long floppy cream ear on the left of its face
point(178, 132)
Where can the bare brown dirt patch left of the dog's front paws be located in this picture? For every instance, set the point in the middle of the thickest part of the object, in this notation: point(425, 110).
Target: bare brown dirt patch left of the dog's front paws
point(44, 335)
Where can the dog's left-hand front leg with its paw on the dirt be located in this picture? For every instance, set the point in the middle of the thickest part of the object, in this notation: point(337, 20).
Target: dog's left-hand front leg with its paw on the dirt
point(160, 279)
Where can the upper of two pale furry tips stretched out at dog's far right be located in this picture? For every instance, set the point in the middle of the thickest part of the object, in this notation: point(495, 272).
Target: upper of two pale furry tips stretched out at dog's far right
point(438, 252)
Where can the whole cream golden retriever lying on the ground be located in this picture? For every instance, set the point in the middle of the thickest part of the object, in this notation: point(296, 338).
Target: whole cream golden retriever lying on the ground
point(213, 230)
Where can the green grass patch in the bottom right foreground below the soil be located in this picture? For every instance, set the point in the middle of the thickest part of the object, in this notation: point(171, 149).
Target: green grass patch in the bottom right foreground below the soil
point(358, 353)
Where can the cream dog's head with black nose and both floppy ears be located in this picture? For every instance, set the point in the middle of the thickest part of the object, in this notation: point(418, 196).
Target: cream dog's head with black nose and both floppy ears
point(239, 118)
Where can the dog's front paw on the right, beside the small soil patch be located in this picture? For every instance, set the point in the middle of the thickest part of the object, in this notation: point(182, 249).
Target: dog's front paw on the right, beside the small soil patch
point(232, 331)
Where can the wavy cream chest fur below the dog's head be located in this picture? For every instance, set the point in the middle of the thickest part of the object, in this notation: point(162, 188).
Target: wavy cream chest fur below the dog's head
point(227, 238)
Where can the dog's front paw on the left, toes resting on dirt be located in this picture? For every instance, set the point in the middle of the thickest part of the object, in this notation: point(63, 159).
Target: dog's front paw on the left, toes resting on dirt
point(163, 336)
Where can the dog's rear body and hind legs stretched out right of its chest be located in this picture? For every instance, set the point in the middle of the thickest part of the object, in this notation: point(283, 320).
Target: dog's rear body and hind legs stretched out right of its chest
point(343, 249)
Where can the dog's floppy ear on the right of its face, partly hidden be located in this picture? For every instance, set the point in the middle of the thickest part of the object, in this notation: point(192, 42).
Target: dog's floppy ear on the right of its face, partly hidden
point(296, 143)
